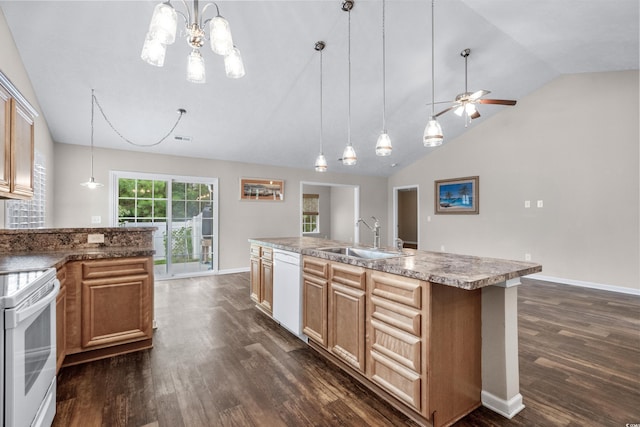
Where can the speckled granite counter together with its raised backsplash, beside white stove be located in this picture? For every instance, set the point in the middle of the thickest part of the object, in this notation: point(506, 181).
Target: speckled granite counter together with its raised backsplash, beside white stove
point(22, 250)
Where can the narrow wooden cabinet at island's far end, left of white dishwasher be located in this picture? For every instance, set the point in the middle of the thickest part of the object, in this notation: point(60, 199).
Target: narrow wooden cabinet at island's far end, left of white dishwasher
point(261, 276)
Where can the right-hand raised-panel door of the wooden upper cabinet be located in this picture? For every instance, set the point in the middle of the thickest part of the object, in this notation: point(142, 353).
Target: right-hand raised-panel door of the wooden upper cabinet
point(21, 151)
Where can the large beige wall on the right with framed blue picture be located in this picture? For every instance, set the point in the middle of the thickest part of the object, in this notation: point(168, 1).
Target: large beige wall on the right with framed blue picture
point(573, 144)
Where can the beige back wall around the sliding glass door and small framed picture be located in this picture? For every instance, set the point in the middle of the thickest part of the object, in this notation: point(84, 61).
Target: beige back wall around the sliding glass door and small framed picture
point(239, 220)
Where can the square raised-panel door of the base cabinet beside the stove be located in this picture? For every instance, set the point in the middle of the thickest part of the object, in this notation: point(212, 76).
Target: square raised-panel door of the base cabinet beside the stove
point(116, 310)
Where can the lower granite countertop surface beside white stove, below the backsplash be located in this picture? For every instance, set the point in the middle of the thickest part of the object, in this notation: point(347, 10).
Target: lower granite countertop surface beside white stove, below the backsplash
point(40, 260)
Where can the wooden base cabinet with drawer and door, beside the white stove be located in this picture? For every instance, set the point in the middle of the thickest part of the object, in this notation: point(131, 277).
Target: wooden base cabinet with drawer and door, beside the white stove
point(109, 307)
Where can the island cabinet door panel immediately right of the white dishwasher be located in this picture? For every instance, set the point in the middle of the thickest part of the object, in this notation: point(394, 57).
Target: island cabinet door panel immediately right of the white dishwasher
point(314, 308)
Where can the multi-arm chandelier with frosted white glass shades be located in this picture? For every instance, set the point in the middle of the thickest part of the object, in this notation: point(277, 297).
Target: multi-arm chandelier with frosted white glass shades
point(162, 32)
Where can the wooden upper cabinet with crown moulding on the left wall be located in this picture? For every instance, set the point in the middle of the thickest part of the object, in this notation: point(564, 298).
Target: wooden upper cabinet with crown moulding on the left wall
point(16, 130)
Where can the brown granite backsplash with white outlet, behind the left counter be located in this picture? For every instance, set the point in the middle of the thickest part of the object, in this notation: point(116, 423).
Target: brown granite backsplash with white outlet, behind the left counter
point(60, 239)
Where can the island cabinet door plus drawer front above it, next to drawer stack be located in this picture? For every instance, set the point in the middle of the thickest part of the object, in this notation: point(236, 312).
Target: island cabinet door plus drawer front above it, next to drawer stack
point(347, 314)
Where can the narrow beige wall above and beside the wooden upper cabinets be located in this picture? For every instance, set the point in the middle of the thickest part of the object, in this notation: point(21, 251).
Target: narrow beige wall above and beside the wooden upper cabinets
point(12, 67)
